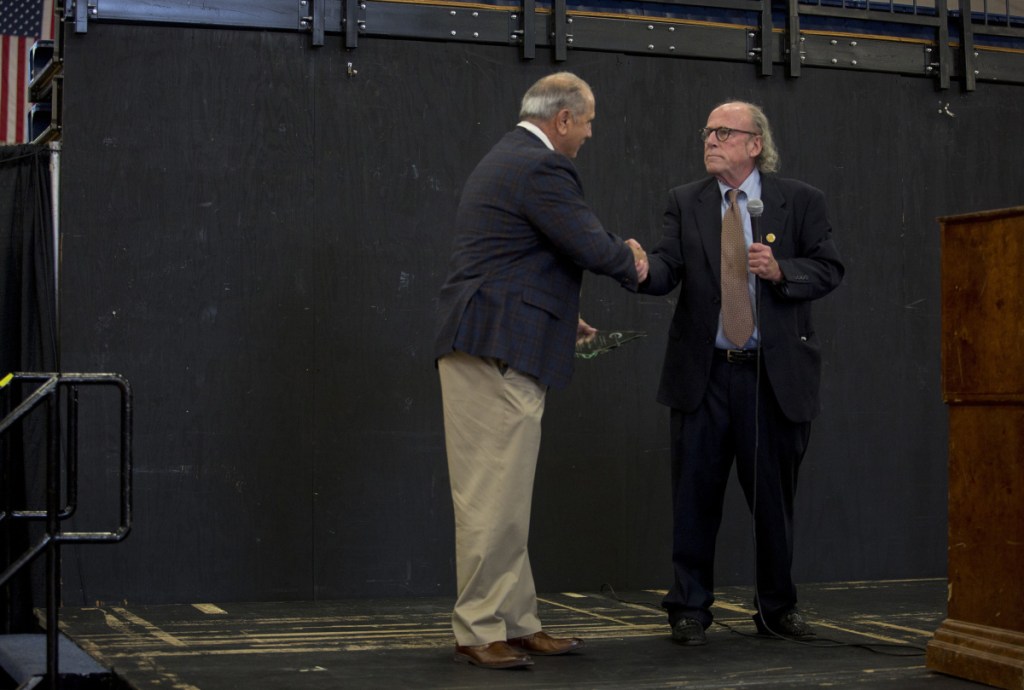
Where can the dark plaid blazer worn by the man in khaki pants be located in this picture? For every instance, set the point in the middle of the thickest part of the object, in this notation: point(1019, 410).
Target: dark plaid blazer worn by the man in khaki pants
point(524, 236)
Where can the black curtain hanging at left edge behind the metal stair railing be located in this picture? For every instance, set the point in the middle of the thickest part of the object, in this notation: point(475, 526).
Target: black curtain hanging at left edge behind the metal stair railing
point(28, 343)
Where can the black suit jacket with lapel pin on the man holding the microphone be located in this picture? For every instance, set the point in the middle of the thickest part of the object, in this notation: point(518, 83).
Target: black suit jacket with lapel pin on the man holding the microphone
point(689, 254)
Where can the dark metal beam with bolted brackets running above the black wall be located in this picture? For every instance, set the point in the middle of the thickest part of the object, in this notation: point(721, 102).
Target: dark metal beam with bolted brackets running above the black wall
point(912, 37)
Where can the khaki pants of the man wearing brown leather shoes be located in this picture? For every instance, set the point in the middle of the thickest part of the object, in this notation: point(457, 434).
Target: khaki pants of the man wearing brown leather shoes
point(493, 436)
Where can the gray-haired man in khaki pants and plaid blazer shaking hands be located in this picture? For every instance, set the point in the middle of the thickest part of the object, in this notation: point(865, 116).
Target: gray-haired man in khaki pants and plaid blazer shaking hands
point(508, 322)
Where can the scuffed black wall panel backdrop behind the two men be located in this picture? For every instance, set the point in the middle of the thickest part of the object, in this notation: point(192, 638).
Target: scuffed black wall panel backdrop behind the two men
point(255, 239)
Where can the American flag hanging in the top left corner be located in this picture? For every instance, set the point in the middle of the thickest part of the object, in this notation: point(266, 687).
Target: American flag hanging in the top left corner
point(22, 24)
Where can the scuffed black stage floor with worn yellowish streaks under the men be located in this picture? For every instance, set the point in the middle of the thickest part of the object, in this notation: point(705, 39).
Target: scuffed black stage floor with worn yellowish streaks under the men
point(872, 635)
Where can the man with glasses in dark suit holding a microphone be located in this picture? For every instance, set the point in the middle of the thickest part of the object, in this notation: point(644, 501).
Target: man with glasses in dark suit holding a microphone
point(743, 365)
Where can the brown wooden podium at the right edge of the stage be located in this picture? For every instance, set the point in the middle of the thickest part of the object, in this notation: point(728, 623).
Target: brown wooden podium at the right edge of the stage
point(984, 385)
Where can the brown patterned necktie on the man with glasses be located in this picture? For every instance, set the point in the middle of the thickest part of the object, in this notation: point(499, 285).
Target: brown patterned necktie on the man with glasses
point(738, 317)
